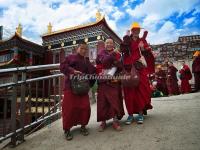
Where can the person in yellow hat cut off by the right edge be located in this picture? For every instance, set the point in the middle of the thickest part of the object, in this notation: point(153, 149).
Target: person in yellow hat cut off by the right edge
point(196, 71)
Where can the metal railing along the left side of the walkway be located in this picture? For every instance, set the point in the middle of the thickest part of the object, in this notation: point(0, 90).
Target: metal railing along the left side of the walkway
point(34, 101)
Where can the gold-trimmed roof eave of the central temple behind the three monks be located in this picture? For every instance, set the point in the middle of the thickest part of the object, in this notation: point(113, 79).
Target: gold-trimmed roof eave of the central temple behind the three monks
point(83, 26)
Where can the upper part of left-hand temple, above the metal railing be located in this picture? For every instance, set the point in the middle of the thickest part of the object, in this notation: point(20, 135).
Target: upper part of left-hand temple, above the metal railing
point(17, 51)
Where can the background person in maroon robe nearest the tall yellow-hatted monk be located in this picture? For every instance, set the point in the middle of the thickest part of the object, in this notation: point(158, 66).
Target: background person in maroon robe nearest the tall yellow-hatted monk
point(161, 79)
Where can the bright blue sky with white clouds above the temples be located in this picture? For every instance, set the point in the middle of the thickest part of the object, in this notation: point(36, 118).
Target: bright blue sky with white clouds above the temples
point(164, 19)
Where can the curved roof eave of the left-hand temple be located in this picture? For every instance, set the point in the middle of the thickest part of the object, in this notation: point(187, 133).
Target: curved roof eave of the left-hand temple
point(22, 44)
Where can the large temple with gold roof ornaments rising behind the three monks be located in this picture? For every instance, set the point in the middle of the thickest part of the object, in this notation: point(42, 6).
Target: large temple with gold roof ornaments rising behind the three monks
point(64, 42)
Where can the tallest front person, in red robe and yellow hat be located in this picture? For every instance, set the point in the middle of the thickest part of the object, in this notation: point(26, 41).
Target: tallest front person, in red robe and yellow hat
point(137, 99)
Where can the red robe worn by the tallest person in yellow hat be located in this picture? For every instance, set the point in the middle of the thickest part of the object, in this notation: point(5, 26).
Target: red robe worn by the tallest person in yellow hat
point(139, 98)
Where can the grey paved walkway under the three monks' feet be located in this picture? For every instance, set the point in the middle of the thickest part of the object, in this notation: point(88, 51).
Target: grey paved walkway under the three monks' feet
point(173, 124)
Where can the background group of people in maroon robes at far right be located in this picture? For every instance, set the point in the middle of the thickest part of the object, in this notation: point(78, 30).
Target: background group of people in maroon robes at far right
point(164, 82)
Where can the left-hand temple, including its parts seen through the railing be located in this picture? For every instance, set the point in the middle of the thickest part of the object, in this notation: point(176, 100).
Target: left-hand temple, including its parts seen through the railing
point(15, 52)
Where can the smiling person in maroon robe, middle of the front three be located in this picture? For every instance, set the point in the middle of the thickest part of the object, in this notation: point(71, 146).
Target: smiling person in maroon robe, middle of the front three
point(109, 92)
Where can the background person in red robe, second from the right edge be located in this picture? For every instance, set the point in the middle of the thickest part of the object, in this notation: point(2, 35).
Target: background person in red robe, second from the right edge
point(185, 76)
